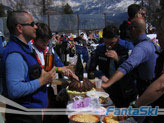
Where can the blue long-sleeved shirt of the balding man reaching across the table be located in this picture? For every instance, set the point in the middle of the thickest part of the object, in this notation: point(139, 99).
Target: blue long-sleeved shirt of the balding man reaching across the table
point(143, 57)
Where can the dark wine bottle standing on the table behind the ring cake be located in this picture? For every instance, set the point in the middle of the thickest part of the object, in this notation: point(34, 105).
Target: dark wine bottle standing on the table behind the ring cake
point(79, 68)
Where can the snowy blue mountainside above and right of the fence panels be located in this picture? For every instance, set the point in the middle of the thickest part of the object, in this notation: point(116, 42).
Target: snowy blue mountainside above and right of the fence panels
point(116, 10)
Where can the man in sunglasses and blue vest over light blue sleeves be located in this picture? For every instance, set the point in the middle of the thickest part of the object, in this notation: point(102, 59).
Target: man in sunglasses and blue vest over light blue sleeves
point(24, 81)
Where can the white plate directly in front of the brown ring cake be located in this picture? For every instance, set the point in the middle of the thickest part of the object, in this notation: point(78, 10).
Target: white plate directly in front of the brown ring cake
point(97, 94)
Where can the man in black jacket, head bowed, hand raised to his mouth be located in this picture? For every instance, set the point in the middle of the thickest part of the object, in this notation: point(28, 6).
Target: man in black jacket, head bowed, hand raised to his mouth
point(108, 56)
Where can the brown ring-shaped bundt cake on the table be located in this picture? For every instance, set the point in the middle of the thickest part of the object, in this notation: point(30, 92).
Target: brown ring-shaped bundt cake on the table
point(78, 86)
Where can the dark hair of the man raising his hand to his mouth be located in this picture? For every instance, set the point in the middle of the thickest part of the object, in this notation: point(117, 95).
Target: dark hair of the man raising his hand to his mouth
point(110, 32)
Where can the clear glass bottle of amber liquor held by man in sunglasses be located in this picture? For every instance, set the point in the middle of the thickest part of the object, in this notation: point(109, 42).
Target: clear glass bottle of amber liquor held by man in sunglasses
point(49, 58)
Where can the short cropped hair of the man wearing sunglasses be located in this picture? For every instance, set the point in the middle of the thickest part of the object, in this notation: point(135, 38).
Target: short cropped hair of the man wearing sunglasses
point(14, 18)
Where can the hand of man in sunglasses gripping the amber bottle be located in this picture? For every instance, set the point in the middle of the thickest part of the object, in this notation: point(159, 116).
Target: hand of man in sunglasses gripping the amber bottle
point(47, 77)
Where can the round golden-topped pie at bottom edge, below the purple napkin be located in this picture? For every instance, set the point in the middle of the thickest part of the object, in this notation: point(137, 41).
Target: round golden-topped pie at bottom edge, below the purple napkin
point(85, 118)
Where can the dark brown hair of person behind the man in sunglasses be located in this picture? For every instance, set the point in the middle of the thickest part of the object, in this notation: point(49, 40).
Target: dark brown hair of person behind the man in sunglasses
point(43, 31)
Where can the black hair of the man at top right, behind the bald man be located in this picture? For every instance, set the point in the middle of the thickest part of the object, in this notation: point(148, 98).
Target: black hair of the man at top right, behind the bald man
point(133, 9)
